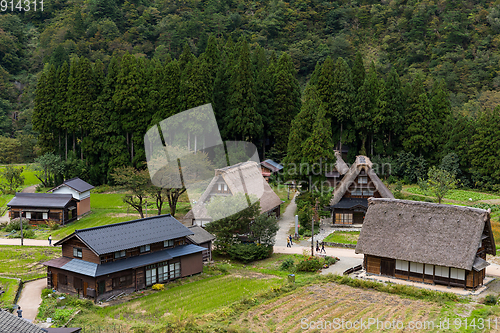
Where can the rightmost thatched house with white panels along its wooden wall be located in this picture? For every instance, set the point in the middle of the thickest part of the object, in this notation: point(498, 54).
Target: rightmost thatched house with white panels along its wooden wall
point(426, 242)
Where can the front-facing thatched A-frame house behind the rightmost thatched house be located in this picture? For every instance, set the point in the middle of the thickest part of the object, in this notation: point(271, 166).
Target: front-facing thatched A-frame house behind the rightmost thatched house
point(350, 198)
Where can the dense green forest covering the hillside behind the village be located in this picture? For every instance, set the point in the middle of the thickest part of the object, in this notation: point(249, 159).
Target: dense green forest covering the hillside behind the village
point(414, 83)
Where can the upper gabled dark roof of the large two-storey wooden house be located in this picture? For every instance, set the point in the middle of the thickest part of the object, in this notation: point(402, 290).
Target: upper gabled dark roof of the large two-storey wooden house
point(121, 236)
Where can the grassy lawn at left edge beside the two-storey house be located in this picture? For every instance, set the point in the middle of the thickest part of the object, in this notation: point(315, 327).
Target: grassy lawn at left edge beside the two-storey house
point(25, 262)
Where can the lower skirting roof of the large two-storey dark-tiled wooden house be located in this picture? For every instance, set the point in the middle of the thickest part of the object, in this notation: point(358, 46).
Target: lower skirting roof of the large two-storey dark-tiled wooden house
point(93, 270)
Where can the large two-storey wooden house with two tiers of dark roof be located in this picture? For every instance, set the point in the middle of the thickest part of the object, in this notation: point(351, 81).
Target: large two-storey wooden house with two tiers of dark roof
point(101, 261)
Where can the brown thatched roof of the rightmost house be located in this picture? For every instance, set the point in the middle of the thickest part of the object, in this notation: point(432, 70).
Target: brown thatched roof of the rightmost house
point(424, 232)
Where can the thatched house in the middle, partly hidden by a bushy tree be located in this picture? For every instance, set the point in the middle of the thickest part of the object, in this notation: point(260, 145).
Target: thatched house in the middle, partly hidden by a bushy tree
point(243, 177)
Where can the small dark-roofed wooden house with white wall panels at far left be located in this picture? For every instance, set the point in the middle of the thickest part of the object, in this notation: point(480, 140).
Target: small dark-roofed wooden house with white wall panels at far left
point(39, 208)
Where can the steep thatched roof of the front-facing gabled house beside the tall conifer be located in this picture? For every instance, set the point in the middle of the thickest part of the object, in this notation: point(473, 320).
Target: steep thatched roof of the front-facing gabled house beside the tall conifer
point(362, 163)
